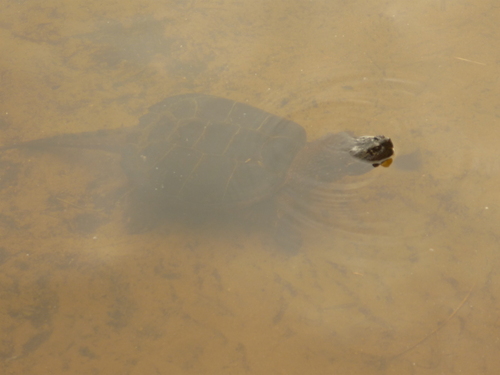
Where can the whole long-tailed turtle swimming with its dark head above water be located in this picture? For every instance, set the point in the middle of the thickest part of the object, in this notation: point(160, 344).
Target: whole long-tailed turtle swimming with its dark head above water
point(201, 155)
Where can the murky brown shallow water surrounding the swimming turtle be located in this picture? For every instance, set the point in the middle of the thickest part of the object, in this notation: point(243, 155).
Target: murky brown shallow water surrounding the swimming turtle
point(404, 281)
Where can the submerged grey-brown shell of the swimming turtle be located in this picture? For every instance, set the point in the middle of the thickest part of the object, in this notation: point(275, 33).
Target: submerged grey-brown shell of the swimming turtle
point(208, 151)
